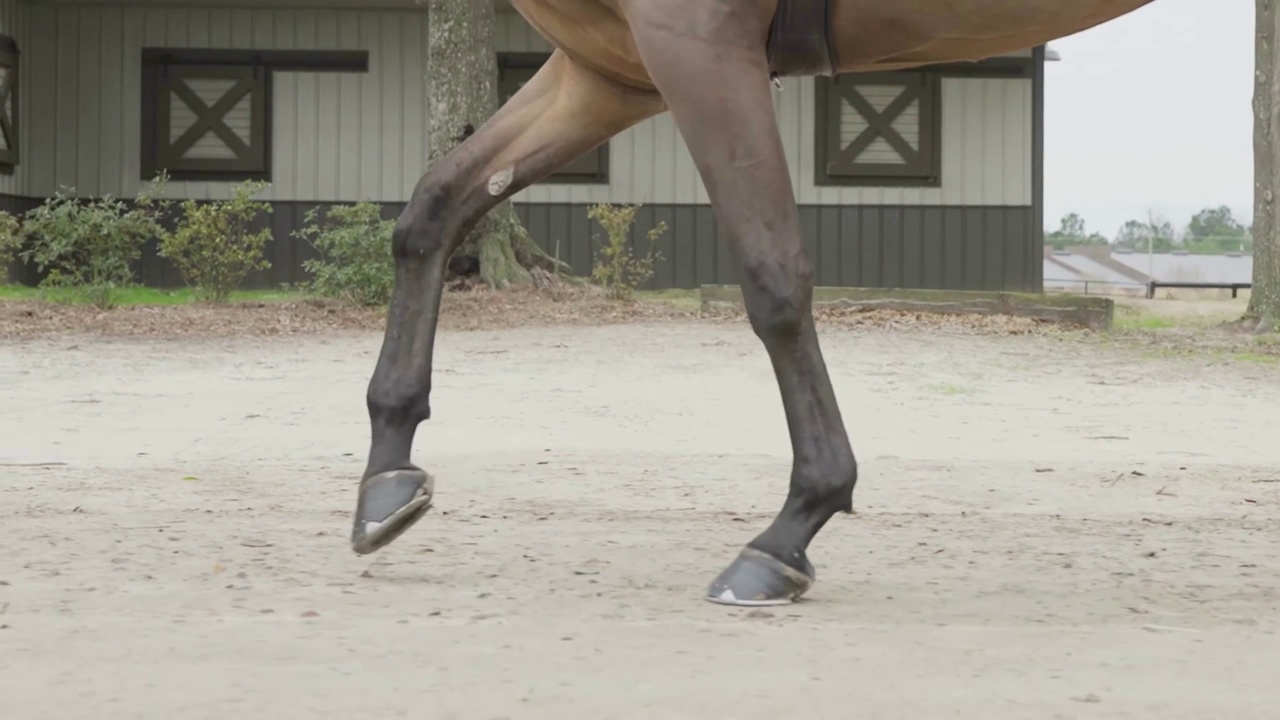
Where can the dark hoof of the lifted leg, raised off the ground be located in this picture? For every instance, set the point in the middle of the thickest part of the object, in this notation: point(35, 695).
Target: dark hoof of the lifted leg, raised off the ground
point(390, 504)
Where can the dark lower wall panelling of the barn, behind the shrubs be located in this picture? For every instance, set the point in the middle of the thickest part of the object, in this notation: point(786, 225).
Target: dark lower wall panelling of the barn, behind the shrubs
point(957, 248)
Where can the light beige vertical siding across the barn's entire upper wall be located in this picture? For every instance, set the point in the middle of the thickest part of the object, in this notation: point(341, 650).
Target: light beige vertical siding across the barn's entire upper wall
point(348, 138)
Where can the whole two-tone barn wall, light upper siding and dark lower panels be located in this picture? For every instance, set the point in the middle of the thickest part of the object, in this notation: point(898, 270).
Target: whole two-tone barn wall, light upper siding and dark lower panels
point(350, 138)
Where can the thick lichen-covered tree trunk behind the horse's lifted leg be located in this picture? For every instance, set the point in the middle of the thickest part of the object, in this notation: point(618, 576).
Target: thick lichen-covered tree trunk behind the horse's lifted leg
point(463, 93)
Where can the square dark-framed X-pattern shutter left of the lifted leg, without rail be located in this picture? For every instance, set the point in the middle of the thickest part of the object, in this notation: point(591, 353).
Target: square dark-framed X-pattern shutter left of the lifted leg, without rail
point(212, 120)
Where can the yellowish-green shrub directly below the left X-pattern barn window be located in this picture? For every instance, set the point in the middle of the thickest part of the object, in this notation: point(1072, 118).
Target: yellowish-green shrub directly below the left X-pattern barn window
point(213, 245)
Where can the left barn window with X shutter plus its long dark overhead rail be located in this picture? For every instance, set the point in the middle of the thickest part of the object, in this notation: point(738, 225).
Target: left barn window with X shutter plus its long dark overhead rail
point(207, 115)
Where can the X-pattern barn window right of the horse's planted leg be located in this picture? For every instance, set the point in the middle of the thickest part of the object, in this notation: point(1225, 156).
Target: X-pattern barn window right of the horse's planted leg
point(879, 130)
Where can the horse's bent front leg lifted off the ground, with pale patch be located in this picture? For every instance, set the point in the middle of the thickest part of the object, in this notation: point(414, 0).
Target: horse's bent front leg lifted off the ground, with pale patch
point(561, 113)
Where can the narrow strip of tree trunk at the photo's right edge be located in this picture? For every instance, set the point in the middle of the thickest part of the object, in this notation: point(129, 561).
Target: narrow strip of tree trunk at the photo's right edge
point(1264, 312)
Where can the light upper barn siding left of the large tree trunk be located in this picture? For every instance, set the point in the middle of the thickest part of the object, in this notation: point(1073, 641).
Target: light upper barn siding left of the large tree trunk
point(344, 138)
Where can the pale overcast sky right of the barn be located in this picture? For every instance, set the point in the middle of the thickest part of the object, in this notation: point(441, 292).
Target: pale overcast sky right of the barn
point(1151, 112)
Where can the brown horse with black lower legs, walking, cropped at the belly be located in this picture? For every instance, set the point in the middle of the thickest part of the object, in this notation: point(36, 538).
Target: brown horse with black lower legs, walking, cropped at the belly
point(710, 63)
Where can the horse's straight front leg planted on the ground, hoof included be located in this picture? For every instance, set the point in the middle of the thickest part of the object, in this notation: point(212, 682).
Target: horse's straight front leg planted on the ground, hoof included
point(711, 70)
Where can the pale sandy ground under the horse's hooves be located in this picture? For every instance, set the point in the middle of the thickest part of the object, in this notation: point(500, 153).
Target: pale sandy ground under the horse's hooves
point(1048, 528)
